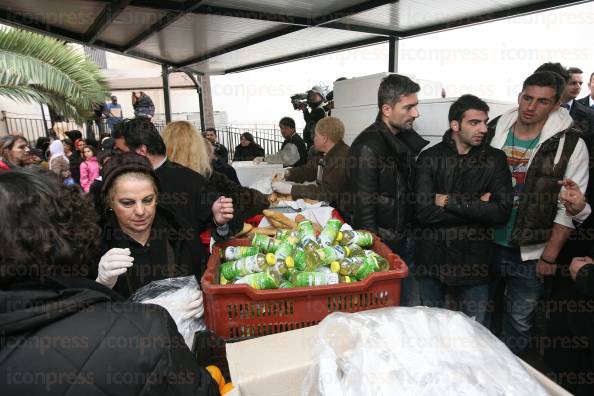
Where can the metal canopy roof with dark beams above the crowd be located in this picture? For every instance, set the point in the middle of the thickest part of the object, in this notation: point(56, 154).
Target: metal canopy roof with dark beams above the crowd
point(217, 37)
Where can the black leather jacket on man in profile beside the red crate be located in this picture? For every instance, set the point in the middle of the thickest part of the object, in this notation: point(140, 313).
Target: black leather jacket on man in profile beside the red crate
point(379, 178)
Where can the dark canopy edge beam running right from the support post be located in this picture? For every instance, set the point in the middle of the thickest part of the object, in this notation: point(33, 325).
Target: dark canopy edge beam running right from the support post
point(492, 16)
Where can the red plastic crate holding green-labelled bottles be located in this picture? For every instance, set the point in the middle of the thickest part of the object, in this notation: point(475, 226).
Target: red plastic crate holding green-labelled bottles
point(233, 311)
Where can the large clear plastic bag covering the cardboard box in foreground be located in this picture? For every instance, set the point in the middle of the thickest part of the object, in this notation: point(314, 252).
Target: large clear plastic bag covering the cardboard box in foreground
point(413, 351)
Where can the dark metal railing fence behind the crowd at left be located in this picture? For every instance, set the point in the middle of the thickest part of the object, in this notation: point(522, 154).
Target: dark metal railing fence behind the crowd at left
point(33, 128)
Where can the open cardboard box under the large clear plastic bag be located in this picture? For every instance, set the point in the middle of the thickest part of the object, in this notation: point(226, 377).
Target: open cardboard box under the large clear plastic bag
point(277, 364)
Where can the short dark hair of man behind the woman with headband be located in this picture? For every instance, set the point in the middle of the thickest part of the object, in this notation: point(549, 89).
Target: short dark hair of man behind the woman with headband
point(139, 131)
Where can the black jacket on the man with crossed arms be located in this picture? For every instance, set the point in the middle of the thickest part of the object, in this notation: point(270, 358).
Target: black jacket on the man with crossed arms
point(453, 242)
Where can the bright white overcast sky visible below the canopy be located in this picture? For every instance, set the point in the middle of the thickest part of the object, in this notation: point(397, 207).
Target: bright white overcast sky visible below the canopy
point(489, 60)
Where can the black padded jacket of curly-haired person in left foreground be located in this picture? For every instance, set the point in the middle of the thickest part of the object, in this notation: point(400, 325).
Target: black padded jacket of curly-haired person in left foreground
point(74, 336)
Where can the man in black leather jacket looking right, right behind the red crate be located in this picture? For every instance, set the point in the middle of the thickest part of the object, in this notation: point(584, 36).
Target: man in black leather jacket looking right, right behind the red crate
point(380, 173)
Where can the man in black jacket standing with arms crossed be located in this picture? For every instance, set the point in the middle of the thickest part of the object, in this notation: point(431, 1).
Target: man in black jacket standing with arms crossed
point(463, 188)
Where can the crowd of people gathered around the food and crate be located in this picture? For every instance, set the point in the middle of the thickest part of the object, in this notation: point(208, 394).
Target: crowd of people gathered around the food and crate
point(493, 221)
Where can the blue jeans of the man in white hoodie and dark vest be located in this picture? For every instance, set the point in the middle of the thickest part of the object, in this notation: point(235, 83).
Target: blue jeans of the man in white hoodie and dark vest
point(522, 292)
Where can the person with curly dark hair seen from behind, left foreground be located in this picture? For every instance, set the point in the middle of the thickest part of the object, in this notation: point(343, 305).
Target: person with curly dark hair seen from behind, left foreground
point(59, 328)
